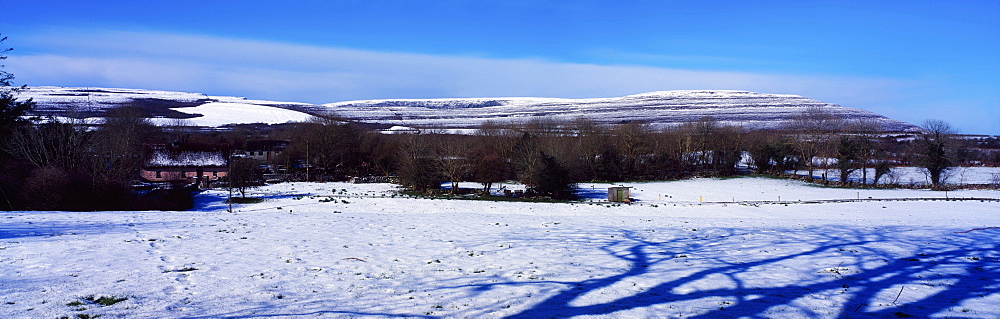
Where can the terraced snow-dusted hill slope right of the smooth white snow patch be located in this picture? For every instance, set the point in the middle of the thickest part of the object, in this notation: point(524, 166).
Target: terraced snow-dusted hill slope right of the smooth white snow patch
point(749, 109)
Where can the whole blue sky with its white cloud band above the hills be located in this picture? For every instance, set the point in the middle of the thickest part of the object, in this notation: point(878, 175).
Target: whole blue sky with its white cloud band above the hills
point(909, 60)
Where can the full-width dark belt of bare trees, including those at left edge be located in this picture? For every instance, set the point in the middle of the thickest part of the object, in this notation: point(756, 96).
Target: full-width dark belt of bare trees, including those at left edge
point(71, 165)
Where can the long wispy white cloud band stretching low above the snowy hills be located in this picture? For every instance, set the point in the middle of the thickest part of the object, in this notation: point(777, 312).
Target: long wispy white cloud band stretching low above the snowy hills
point(283, 71)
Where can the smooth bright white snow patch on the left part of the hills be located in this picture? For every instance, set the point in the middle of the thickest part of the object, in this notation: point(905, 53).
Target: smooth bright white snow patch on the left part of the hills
point(223, 113)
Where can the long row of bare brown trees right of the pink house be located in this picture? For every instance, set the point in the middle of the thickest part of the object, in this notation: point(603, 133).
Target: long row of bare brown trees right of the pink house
point(549, 156)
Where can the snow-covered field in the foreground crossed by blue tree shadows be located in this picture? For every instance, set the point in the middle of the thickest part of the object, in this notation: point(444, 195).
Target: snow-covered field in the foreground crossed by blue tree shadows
point(346, 250)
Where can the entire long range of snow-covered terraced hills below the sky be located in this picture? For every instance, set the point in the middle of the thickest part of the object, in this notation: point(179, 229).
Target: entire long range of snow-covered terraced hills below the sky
point(659, 109)
